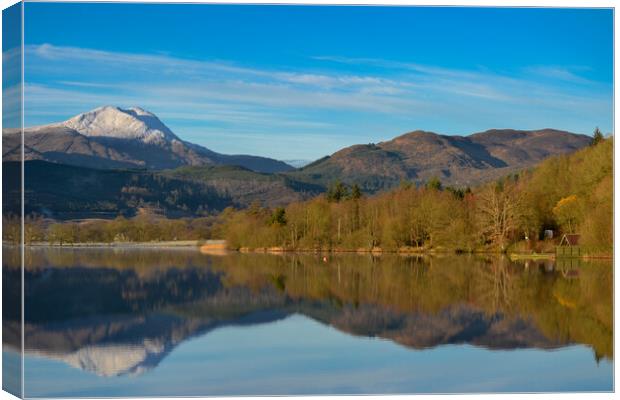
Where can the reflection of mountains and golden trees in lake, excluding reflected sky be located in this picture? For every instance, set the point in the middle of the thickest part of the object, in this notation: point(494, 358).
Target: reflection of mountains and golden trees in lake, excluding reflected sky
point(117, 312)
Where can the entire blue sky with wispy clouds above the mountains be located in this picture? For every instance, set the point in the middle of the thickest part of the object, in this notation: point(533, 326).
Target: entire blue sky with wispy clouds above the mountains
point(300, 82)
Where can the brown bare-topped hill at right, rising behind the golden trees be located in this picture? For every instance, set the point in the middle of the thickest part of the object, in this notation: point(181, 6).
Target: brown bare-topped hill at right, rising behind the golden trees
point(457, 160)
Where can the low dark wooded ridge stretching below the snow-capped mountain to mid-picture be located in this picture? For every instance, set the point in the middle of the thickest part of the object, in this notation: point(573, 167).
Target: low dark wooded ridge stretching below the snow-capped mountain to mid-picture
point(70, 192)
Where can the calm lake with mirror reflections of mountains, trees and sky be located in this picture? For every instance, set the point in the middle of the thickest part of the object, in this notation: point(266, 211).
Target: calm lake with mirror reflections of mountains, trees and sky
point(145, 322)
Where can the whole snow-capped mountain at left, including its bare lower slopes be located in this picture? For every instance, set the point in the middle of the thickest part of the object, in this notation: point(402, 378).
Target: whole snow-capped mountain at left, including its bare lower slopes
point(111, 137)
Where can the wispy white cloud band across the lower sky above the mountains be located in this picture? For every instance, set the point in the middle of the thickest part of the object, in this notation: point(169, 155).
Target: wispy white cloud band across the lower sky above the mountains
point(194, 96)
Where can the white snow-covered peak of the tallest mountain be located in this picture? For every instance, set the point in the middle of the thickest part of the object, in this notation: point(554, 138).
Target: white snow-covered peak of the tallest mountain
point(119, 123)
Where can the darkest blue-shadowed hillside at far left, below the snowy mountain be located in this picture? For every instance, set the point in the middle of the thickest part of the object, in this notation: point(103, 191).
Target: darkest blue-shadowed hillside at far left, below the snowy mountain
point(69, 192)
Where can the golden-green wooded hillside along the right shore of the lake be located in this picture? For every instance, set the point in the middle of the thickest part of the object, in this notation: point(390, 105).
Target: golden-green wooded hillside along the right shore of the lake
point(566, 194)
